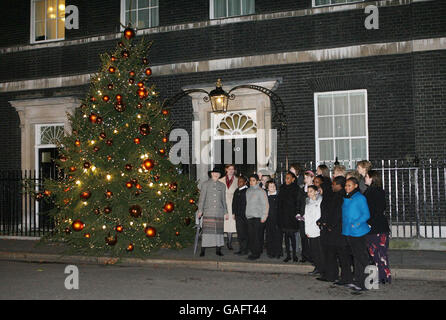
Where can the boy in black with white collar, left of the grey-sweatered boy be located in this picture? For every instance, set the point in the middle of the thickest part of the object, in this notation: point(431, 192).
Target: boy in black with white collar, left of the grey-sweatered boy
point(239, 209)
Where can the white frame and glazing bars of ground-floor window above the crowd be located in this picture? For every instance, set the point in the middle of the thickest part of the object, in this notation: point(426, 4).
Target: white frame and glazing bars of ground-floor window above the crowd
point(316, 122)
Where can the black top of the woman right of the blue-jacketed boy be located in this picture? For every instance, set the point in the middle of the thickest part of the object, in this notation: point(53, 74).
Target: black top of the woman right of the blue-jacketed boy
point(376, 199)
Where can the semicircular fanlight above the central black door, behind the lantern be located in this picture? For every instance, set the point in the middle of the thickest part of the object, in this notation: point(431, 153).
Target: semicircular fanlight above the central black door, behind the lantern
point(236, 125)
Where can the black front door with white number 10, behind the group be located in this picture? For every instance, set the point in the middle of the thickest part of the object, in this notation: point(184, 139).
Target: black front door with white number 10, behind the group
point(241, 152)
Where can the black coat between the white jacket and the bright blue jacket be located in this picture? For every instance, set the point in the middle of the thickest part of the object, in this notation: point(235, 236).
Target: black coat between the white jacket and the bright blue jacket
point(331, 219)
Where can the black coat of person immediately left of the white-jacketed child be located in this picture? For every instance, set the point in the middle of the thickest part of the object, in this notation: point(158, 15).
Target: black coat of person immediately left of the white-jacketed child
point(290, 204)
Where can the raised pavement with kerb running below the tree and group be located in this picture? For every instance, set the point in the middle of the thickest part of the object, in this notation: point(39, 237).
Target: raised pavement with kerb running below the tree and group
point(404, 264)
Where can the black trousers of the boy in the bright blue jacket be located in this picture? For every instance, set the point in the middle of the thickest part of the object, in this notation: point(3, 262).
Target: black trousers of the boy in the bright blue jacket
point(360, 259)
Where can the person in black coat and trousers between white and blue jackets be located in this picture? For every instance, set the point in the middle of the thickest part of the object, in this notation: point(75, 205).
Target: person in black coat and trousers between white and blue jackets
point(334, 244)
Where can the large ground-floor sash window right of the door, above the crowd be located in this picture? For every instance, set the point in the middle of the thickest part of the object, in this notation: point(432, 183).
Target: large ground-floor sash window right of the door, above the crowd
point(341, 126)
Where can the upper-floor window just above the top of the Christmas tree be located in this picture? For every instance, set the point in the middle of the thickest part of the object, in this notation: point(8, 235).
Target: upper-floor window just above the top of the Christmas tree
point(140, 13)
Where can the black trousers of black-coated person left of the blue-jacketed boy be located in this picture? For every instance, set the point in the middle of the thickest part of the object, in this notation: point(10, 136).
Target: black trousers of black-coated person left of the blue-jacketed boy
point(336, 256)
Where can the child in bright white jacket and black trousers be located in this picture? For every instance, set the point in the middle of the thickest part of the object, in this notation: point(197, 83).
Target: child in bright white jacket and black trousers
point(312, 231)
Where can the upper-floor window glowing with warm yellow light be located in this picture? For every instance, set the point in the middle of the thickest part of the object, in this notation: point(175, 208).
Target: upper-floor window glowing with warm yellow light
point(47, 20)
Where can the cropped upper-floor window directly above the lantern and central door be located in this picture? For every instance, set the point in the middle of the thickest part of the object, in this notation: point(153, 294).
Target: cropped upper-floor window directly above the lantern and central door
point(230, 8)
